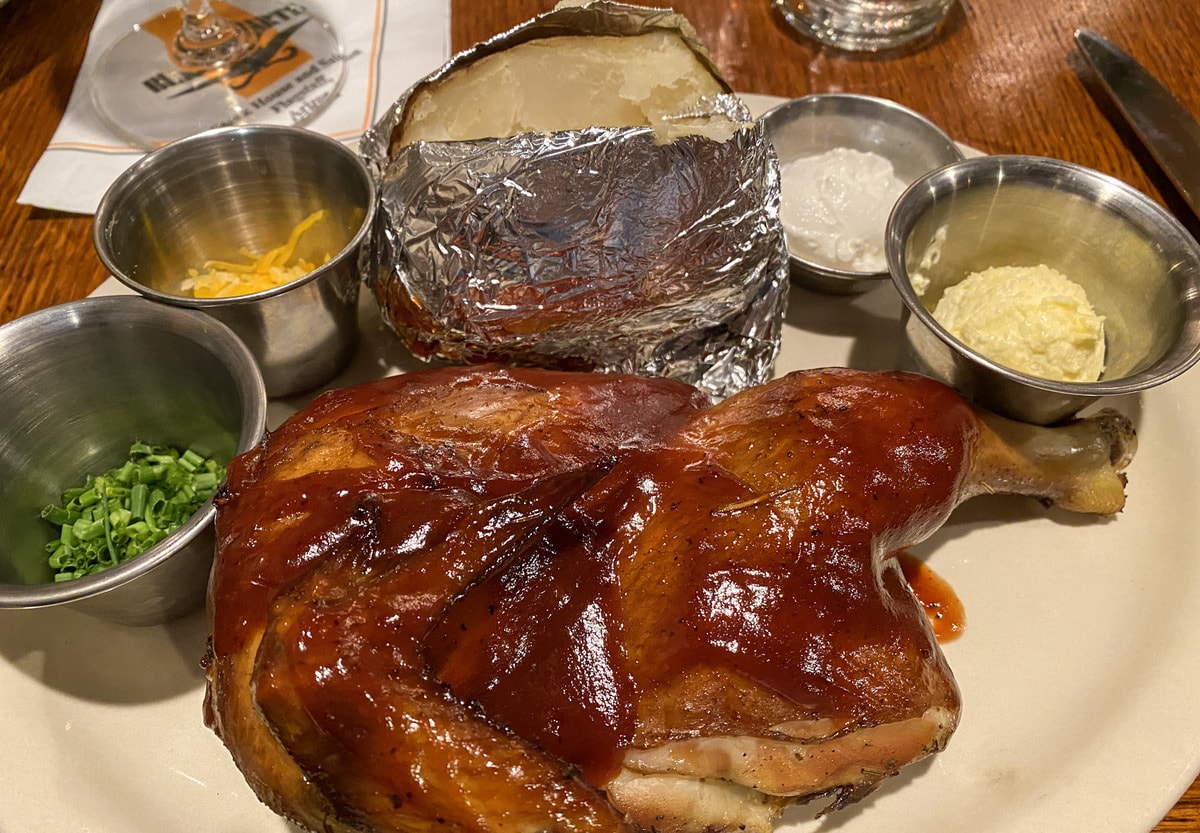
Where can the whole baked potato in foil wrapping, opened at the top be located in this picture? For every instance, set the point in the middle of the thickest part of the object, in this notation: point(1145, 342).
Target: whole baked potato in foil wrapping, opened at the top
point(583, 193)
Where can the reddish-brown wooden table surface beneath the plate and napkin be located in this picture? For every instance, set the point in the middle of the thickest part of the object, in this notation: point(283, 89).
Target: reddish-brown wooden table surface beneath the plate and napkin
point(1003, 76)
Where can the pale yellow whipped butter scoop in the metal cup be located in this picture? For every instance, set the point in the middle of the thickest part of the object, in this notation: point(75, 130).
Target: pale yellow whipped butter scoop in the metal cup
point(1033, 320)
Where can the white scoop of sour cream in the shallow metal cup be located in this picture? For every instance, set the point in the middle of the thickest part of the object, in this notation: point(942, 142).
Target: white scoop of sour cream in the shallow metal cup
point(836, 207)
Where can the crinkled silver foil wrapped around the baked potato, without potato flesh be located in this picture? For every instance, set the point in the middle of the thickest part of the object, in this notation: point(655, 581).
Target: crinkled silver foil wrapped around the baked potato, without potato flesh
point(601, 249)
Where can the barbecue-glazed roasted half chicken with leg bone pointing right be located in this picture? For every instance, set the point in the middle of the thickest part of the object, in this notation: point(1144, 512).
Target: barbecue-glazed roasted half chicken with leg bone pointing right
point(497, 600)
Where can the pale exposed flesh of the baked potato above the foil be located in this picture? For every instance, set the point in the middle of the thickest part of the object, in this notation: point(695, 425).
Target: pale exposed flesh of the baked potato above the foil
point(571, 83)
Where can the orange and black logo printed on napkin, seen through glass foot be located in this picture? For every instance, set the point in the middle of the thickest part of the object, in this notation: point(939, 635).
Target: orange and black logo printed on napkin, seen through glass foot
point(275, 58)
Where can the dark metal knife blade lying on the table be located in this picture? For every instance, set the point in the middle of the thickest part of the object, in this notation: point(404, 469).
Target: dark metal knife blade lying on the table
point(1168, 130)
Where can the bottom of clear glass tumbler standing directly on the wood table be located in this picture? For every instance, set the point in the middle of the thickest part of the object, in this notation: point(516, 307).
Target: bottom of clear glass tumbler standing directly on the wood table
point(865, 26)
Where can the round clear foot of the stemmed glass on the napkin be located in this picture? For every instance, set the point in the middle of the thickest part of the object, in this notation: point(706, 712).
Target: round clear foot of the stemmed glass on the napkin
point(206, 64)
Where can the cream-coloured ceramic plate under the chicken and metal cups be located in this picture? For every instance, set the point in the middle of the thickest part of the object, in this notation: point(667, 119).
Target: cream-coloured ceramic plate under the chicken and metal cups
point(1079, 668)
